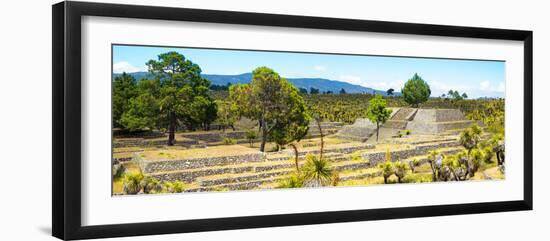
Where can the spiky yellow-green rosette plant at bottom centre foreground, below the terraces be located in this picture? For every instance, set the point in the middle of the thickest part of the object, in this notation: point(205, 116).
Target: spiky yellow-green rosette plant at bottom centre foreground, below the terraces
point(317, 172)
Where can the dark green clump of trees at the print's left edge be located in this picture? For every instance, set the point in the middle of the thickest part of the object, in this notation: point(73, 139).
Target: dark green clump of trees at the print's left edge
point(178, 94)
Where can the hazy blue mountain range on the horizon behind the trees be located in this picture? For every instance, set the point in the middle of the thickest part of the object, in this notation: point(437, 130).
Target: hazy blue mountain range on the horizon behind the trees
point(323, 85)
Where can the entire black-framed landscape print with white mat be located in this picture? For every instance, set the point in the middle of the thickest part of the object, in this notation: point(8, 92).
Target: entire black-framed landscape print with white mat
point(169, 120)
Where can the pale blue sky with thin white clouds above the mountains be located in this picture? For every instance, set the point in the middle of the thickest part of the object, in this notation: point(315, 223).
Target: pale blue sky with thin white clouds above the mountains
point(476, 78)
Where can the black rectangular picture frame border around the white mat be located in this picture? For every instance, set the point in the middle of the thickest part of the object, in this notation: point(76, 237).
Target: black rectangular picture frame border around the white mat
point(66, 128)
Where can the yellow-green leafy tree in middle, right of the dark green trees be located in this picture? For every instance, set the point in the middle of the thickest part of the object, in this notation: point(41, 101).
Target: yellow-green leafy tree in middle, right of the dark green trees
point(274, 102)
